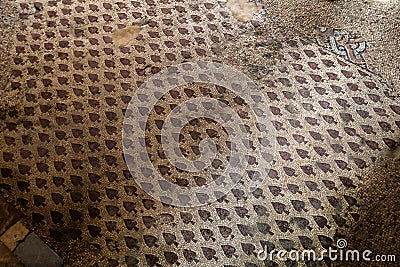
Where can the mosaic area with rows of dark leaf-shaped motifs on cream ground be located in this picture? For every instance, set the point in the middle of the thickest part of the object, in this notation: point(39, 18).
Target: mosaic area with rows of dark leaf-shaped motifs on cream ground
point(62, 148)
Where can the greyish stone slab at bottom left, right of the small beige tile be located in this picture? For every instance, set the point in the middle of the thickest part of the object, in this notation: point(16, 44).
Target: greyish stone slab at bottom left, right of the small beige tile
point(33, 252)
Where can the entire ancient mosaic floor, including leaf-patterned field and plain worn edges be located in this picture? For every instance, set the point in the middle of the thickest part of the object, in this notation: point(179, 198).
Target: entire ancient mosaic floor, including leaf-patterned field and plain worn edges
point(328, 71)
